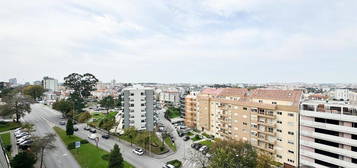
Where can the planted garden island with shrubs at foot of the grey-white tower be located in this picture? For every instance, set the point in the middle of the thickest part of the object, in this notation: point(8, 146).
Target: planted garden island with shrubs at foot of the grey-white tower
point(147, 140)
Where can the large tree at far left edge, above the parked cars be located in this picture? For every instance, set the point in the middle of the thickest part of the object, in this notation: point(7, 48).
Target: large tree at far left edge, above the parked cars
point(16, 104)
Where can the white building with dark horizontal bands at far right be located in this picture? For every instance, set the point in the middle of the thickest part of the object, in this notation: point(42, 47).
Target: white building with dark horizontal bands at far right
point(328, 134)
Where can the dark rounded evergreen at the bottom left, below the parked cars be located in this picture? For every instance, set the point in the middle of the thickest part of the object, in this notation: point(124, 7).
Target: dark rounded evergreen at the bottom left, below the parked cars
point(23, 159)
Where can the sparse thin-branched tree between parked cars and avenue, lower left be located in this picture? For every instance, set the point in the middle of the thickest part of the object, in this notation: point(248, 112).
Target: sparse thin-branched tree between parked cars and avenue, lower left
point(42, 143)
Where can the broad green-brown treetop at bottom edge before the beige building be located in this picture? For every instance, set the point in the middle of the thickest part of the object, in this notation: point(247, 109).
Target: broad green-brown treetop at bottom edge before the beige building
point(232, 154)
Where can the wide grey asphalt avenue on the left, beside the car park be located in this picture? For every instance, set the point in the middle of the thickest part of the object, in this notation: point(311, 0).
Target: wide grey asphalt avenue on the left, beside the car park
point(59, 157)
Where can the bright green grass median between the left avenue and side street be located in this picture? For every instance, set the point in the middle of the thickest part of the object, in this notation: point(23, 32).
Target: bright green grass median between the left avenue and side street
point(88, 155)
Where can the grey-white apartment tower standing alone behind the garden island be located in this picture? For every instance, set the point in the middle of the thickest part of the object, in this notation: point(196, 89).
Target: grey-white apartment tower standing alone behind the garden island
point(138, 107)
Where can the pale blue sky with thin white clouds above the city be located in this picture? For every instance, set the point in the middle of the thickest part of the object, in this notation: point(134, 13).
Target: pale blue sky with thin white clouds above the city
point(180, 41)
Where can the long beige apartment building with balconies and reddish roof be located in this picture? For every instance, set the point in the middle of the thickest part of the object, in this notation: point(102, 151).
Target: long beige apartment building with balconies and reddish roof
point(268, 119)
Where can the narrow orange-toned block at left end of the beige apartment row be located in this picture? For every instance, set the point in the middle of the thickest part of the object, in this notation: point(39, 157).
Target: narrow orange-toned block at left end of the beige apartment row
point(190, 109)
